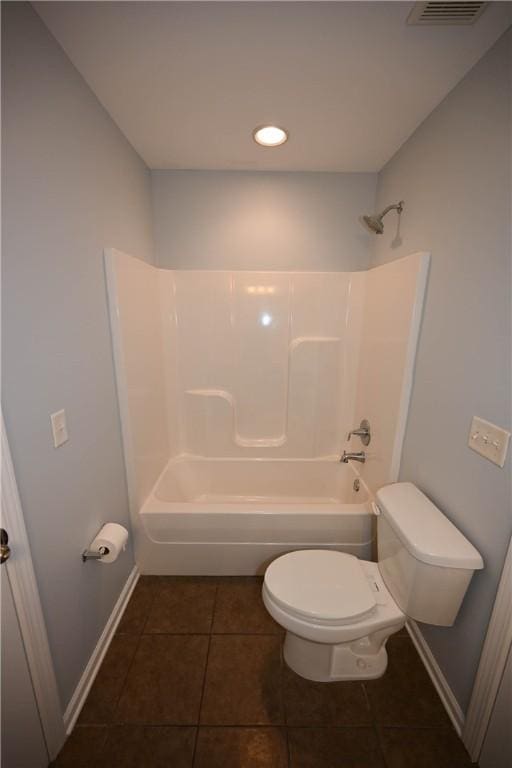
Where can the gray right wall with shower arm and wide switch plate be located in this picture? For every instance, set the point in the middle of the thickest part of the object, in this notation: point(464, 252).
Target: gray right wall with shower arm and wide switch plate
point(454, 175)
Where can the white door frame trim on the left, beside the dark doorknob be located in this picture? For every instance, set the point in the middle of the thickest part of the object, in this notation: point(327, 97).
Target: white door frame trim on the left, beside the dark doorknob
point(27, 603)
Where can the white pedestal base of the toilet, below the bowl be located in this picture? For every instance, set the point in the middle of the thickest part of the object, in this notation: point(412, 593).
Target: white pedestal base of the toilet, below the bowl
point(363, 659)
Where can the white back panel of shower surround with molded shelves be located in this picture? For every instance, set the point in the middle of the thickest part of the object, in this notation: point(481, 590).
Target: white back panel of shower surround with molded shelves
point(260, 363)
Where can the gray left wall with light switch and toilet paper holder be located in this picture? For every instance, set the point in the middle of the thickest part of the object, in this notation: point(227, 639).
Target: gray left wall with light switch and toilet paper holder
point(71, 185)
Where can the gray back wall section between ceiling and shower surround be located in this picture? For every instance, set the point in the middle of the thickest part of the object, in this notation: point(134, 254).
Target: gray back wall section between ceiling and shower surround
point(257, 220)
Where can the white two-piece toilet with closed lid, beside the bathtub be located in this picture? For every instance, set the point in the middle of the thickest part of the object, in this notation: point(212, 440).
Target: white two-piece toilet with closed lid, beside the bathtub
point(339, 611)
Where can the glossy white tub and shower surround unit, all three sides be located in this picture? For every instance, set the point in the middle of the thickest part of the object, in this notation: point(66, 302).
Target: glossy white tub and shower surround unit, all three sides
point(237, 391)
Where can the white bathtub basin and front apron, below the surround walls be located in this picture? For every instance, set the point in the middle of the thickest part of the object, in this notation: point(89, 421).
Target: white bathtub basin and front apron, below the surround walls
point(233, 516)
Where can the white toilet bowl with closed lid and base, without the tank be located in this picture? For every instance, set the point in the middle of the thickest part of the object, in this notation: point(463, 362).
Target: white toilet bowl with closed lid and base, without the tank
point(337, 612)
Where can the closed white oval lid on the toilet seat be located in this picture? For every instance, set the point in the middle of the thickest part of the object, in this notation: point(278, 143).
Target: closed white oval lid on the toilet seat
point(319, 583)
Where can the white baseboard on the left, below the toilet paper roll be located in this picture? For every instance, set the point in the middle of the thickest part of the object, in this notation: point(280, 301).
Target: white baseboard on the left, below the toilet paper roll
point(84, 684)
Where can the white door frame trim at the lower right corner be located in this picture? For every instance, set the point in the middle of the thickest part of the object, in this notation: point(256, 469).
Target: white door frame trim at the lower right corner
point(496, 648)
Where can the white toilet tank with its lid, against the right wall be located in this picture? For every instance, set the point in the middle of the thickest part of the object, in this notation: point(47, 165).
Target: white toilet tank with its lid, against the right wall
point(425, 561)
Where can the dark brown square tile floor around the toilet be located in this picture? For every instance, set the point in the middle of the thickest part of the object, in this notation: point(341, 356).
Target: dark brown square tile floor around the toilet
point(194, 678)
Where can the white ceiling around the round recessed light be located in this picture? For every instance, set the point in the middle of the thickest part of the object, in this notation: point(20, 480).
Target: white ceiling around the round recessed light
point(187, 82)
